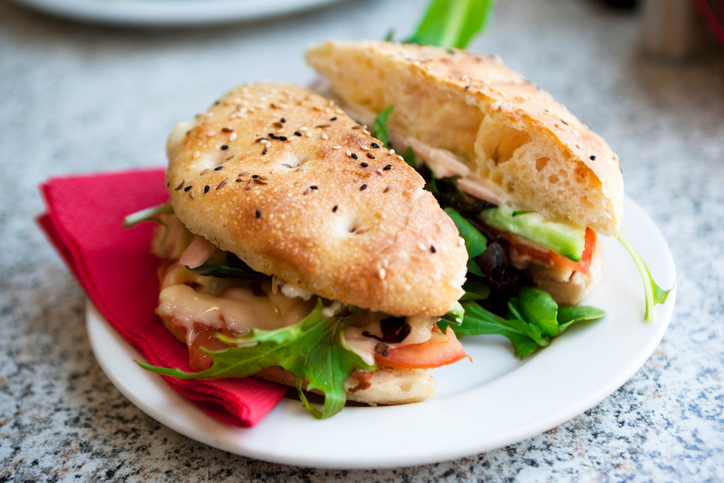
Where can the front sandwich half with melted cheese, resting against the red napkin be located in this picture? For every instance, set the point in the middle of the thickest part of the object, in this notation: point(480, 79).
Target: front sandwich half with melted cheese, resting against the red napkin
point(299, 250)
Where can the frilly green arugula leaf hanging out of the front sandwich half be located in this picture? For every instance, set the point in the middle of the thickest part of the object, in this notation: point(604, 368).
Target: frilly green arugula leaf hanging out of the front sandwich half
point(313, 350)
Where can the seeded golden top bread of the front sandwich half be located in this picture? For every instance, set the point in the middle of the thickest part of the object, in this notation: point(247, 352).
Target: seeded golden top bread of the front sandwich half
point(303, 208)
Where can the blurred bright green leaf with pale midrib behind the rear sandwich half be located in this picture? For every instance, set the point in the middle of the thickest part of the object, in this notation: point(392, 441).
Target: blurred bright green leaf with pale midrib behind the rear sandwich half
point(449, 23)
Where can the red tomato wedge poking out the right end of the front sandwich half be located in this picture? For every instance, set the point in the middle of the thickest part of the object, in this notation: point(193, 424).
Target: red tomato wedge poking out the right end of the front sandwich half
point(440, 350)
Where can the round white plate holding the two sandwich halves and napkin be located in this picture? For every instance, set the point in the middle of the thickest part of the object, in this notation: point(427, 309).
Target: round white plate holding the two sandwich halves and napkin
point(489, 404)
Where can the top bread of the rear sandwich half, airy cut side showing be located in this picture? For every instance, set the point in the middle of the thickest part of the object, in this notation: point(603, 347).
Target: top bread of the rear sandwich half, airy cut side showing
point(510, 134)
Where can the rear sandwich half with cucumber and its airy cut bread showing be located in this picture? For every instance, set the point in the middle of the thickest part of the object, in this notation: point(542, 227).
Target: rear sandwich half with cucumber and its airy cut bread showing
point(496, 150)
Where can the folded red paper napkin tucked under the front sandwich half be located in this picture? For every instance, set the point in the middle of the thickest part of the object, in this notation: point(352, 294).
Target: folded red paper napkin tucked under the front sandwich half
point(114, 266)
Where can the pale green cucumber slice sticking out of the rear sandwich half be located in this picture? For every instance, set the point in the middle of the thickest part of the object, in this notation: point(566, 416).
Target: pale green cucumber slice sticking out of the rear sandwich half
point(566, 240)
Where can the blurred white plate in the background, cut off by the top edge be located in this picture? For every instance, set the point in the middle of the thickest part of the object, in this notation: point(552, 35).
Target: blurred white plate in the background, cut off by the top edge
point(170, 13)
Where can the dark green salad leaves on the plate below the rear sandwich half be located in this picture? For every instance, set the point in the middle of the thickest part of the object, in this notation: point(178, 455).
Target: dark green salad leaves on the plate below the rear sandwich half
point(535, 318)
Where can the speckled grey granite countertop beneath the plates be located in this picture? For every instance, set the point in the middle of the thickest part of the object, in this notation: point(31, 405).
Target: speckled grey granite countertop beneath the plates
point(81, 98)
